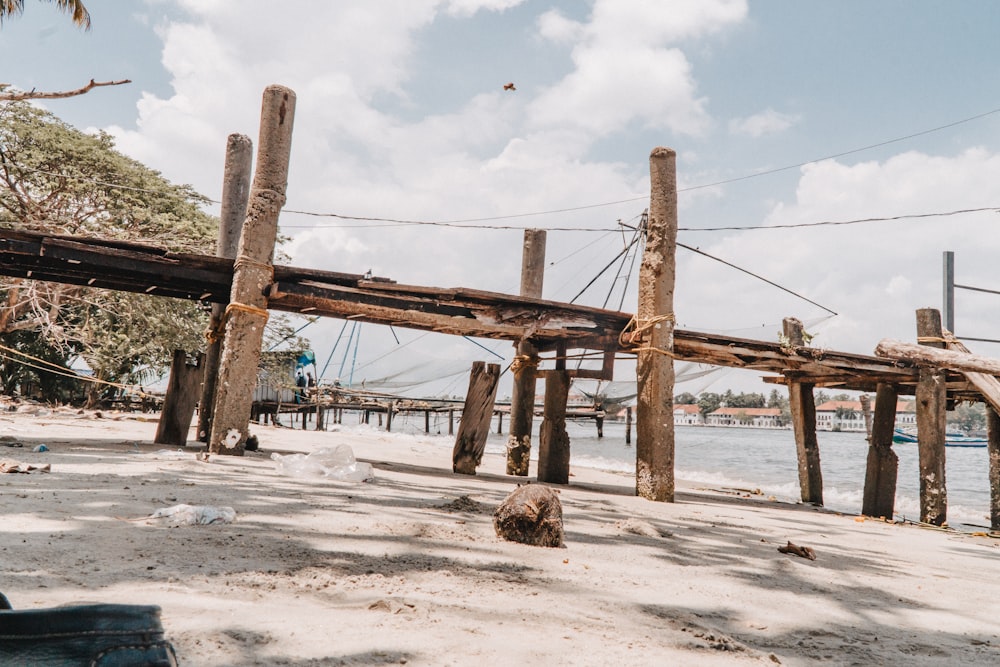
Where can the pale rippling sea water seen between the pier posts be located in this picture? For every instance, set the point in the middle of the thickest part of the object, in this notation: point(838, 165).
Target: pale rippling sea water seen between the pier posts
point(764, 460)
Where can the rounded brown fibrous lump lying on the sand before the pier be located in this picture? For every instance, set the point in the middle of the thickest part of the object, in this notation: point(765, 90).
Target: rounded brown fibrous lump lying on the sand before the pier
point(531, 514)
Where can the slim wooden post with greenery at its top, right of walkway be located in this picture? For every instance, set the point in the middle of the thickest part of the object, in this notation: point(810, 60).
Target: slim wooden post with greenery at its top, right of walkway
point(803, 408)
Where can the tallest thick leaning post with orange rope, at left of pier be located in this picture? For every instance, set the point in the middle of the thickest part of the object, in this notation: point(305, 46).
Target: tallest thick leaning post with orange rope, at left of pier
point(252, 276)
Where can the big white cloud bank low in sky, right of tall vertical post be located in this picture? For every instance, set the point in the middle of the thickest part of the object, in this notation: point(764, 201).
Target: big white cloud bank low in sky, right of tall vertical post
point(876, 274)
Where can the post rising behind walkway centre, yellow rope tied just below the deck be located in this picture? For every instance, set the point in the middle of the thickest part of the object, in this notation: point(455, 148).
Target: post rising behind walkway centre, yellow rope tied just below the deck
point(522, 399)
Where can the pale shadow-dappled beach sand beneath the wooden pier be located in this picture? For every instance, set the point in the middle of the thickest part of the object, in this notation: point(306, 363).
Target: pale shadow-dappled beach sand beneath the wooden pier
point(407, 569)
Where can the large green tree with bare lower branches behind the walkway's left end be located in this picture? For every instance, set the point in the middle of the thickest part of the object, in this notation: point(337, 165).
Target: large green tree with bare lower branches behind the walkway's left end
point(57, 180)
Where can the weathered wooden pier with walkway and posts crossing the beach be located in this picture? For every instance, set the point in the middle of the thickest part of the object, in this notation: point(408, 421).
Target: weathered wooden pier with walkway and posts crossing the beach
point(545, 332)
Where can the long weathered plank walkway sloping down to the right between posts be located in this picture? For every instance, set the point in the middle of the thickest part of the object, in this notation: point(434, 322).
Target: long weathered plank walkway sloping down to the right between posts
point(133, 267)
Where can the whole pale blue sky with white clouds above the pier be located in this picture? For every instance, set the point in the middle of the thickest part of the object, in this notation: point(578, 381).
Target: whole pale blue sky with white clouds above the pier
point(401, 114)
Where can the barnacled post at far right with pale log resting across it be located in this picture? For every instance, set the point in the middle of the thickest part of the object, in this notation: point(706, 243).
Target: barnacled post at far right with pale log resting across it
point(931, 427)
